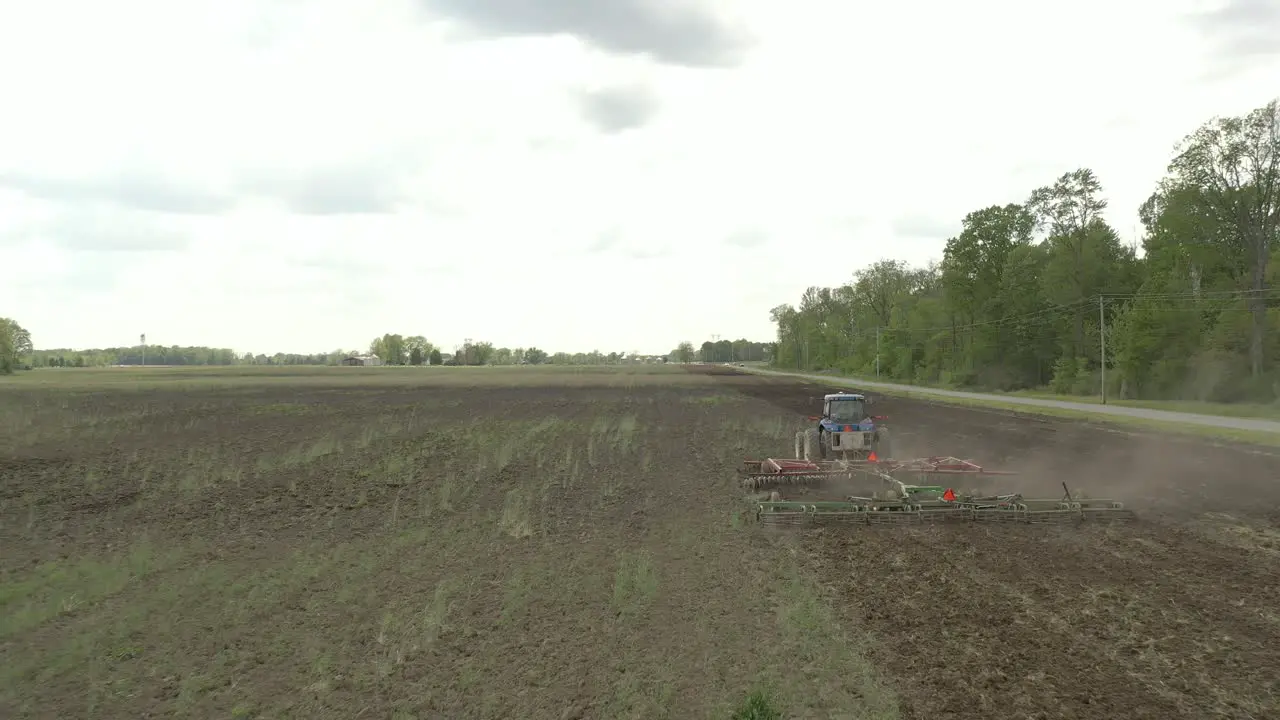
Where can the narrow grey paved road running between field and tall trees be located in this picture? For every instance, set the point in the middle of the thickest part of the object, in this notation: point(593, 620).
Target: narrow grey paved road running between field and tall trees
point(1163, 416)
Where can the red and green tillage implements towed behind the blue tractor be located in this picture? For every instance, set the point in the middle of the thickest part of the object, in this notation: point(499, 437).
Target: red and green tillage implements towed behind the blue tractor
point(925, 500)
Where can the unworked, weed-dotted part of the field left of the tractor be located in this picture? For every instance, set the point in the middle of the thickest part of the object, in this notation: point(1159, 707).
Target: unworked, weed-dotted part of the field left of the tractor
point(391, 545)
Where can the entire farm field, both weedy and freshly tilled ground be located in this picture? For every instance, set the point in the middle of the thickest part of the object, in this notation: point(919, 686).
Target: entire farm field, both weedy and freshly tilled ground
point(554, 544)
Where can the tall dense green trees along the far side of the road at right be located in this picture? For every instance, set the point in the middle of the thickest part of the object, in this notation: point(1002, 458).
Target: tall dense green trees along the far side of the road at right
point(1045, 294)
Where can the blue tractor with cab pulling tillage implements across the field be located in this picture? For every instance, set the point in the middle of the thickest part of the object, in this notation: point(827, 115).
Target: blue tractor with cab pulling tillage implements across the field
point(844, 432)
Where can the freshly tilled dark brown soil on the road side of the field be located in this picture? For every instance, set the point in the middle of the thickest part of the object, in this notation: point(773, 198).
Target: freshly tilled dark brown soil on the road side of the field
point(1174, 617)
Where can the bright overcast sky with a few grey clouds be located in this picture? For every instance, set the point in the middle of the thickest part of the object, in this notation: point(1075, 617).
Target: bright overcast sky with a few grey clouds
point(305, 175)
